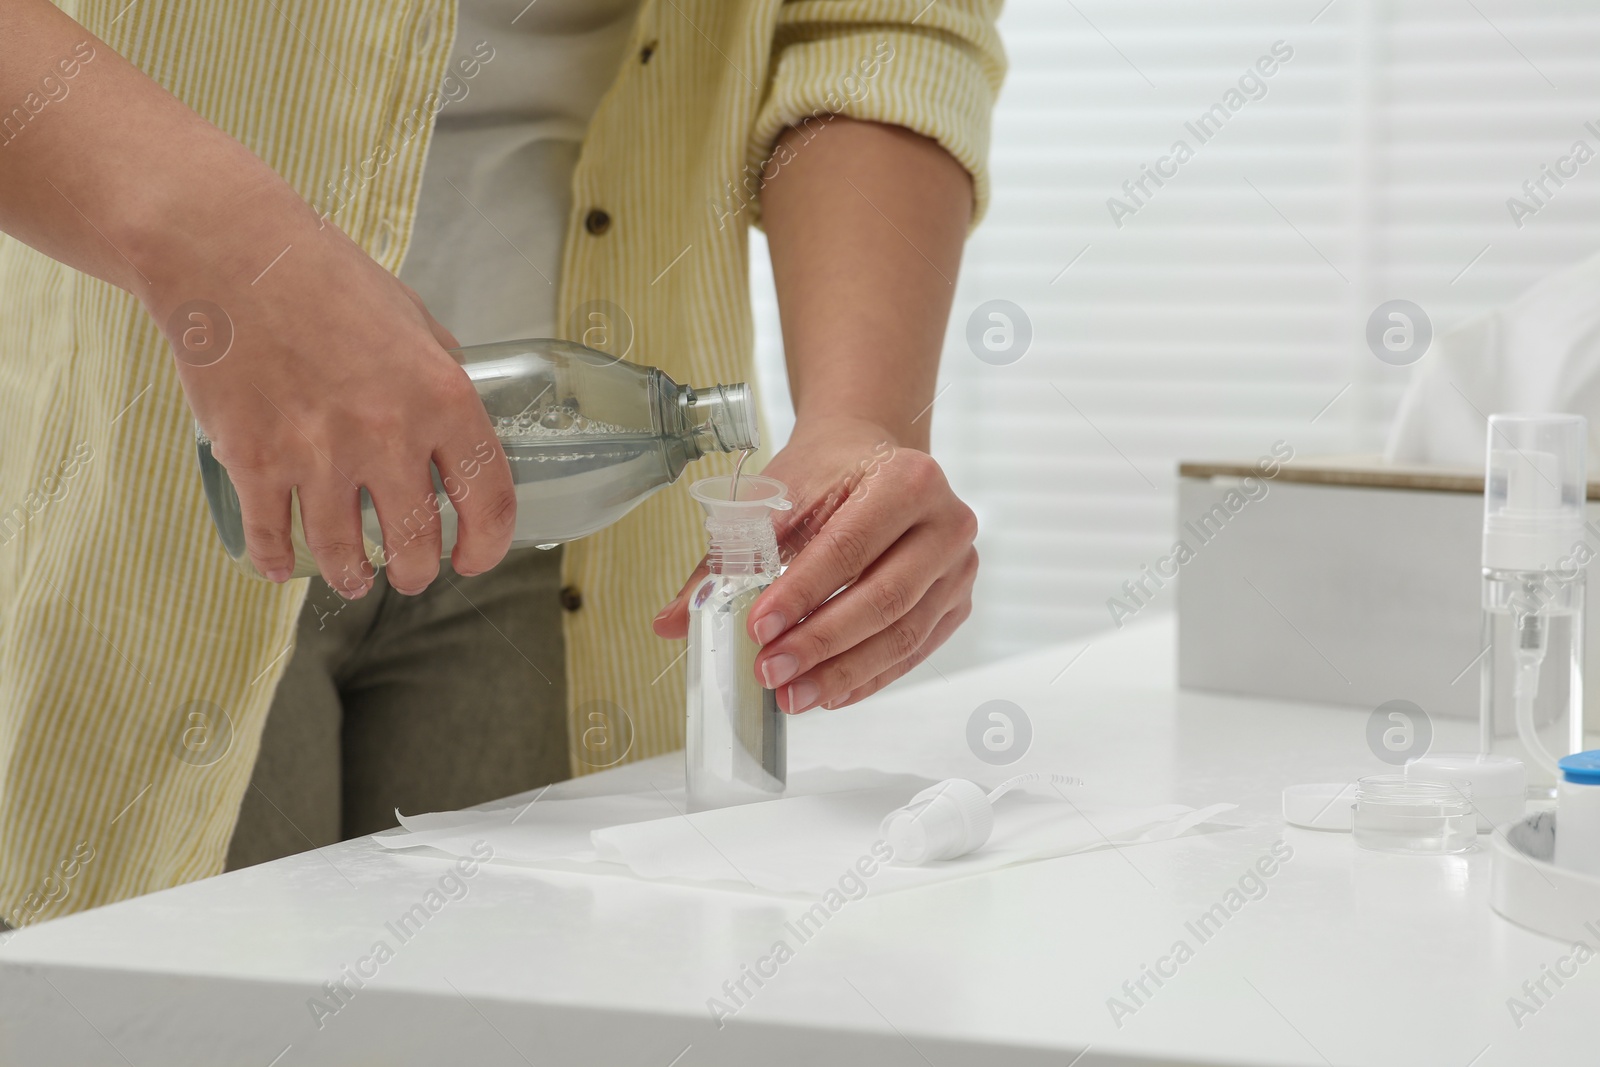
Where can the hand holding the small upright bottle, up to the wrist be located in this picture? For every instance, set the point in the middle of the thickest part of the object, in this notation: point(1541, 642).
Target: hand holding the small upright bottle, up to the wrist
point(881, 567)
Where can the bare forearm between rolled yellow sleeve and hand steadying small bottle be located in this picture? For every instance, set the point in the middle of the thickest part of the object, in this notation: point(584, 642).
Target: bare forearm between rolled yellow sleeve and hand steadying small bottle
point(866, 225)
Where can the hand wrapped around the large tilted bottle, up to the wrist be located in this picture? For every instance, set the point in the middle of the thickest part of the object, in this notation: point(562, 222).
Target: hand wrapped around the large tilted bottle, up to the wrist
point(335, 378)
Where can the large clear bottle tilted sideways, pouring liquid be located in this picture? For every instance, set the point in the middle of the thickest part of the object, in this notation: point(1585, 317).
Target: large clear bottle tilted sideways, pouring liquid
point(588, 439)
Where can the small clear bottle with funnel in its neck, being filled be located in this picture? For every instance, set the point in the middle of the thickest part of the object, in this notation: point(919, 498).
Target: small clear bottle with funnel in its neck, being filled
point(735, 733)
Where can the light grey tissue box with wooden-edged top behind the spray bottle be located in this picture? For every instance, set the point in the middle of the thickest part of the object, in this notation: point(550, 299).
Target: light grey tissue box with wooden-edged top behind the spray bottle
point(1342, 581)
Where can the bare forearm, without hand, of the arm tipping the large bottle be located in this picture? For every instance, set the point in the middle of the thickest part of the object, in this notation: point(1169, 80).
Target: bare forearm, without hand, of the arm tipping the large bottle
point(105, 170)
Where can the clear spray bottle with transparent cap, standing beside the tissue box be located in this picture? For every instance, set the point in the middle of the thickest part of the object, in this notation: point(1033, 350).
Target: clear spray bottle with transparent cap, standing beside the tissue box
point(1532, 682)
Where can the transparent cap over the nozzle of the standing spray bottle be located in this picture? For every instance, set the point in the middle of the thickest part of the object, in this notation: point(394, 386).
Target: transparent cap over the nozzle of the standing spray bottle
point(1535, 489)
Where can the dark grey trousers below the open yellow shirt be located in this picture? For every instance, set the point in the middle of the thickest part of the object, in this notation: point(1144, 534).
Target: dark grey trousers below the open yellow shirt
point(425, 703)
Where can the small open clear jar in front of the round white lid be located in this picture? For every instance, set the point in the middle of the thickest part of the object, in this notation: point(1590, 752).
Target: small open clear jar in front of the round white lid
point(1394, 815)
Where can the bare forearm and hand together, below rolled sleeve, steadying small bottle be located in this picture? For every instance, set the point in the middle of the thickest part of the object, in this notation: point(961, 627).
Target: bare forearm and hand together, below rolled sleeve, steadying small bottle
point(865, 225)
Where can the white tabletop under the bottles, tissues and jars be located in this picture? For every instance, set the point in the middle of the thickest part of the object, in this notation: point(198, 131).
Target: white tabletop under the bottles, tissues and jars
point(1348, 957)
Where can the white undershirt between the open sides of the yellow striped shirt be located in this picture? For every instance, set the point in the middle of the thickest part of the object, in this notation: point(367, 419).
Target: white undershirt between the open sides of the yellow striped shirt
point(497, 190)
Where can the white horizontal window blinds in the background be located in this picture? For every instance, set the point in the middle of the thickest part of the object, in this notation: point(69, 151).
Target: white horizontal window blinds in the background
point(1230, 310)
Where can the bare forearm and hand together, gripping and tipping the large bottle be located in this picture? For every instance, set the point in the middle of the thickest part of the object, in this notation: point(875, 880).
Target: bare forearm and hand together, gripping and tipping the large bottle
point(335, 377)
